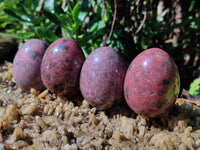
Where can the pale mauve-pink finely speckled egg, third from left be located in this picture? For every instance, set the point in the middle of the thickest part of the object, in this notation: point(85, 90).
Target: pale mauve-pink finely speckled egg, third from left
point(102, 77)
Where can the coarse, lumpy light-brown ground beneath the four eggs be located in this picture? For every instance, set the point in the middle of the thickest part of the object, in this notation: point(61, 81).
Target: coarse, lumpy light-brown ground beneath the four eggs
point(43, 121)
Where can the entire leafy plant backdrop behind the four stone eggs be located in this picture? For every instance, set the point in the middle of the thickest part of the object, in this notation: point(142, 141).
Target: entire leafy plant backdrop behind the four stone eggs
point(129, 26)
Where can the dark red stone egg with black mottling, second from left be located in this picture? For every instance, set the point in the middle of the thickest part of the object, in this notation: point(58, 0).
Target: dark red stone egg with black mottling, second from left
point(61, 66)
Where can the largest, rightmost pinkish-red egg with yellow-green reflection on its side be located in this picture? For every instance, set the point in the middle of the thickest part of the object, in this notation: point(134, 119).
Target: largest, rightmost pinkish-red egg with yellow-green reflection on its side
point(152, 83)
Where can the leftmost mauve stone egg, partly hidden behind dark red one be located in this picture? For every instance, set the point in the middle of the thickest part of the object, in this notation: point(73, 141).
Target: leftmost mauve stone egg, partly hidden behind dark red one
point(26, 65)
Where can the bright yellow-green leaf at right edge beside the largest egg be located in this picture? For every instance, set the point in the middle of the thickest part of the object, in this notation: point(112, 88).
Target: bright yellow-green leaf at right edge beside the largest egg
point(195, 87)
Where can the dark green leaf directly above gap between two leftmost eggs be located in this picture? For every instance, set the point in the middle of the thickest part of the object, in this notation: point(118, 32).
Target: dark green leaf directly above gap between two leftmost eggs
point(46, 35)
